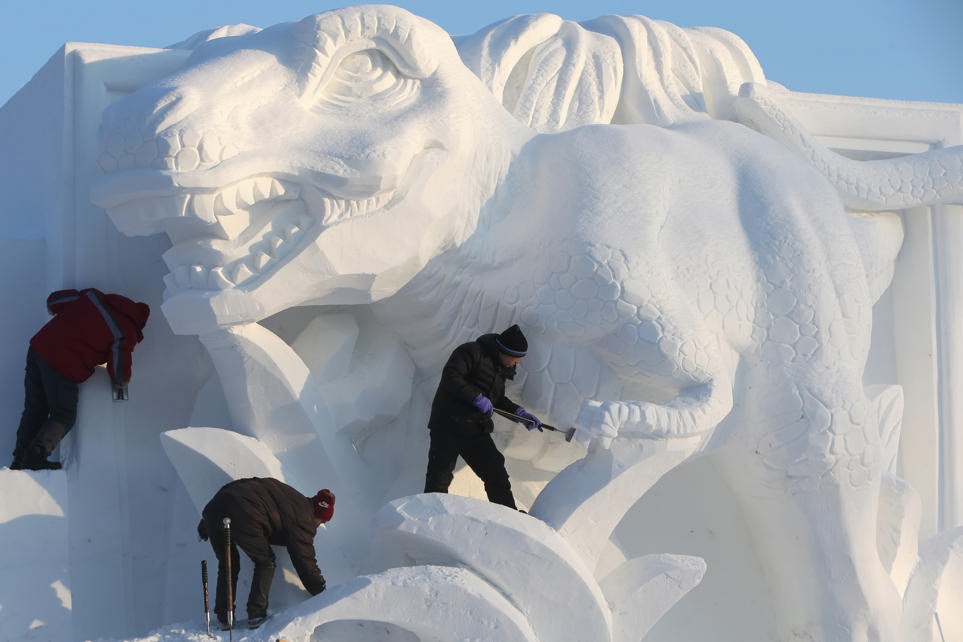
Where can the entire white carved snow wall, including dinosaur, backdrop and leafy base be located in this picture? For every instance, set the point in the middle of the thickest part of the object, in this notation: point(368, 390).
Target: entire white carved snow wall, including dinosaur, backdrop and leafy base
point(320, 211)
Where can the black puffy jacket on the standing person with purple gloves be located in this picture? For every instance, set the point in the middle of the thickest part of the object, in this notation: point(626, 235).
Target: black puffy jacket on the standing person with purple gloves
point(474, 367)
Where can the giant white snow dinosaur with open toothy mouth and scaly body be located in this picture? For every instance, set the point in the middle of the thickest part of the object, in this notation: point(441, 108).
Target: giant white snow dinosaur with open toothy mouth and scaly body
point(697, 283)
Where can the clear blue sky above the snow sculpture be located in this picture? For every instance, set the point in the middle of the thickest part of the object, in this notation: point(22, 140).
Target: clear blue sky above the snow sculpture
point(902, 49)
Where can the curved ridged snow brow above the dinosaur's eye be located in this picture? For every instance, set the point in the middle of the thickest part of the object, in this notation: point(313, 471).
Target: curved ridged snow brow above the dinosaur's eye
point(324, 41)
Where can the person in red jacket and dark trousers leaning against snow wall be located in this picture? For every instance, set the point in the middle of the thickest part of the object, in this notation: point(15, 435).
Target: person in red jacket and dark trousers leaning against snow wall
point(88, 328)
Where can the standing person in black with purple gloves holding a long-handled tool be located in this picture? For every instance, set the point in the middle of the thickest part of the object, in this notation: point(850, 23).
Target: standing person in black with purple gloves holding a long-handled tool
point(472, 384)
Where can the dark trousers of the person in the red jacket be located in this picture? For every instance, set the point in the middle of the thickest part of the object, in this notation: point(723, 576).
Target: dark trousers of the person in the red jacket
point(49, 408)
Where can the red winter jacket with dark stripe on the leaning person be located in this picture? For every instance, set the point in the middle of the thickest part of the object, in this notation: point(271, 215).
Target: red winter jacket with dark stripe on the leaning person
point(90, 328)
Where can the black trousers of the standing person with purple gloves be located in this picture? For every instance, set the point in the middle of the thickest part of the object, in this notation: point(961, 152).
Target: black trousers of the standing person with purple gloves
point(481, 455)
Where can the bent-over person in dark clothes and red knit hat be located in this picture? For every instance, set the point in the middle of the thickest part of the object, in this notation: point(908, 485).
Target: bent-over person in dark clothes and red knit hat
point(263, 512)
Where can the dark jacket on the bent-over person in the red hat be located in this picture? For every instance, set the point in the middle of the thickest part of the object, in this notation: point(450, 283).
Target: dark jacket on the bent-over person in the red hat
point(266, 507)
